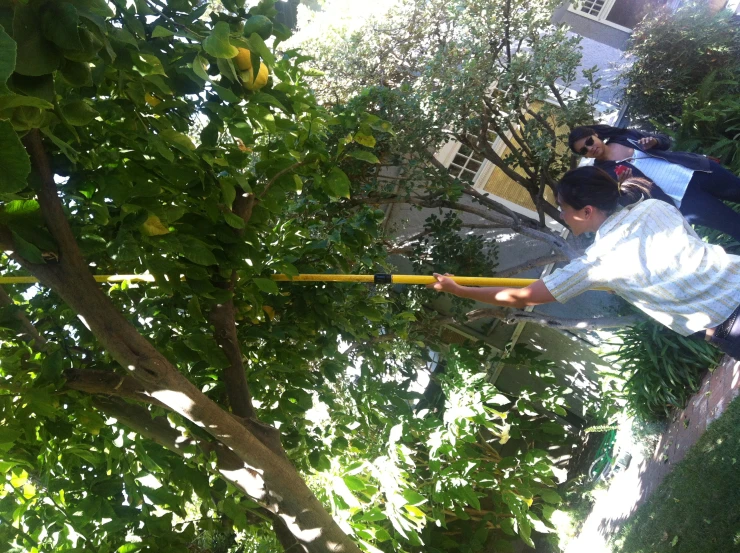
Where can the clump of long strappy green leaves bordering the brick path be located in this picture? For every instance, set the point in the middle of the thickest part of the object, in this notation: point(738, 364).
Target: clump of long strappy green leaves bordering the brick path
point(662, 369)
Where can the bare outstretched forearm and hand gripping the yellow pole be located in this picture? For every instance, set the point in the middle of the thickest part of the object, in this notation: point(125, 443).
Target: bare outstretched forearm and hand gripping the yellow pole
point(534, 294)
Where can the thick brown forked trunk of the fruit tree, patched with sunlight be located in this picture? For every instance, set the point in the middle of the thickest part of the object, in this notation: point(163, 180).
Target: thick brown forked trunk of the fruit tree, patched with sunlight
point(266, 477)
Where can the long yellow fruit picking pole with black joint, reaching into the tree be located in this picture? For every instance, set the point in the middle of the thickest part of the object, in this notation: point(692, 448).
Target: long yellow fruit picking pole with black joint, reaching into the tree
point(380, 278)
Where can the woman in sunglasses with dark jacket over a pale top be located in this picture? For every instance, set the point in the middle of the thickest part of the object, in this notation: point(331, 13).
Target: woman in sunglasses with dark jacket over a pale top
point(696, 184)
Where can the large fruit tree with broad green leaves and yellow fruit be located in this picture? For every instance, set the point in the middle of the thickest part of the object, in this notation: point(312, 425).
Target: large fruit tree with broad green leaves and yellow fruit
point(149, 151)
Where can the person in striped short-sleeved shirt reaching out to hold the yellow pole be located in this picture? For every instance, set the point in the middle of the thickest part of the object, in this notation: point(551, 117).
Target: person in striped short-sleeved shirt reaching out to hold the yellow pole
point(645, 252)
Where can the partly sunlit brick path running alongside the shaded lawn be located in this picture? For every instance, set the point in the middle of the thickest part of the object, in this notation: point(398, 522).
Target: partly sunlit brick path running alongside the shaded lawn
point(631, 488)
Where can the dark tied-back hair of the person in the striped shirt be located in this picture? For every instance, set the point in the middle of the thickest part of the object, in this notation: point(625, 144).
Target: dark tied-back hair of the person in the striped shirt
point(592, 186)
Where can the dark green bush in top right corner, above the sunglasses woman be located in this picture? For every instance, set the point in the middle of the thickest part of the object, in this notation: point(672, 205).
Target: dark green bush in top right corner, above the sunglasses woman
point(673, 53)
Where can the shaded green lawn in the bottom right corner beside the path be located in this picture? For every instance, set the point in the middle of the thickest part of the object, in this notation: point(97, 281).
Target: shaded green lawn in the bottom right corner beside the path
point(697, 508)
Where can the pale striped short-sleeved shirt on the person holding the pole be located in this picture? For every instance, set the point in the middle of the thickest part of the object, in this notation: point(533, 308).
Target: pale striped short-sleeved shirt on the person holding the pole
point(649, 255)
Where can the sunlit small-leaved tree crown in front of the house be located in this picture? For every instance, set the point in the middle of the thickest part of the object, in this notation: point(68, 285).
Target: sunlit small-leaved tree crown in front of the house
point(468, 70)
